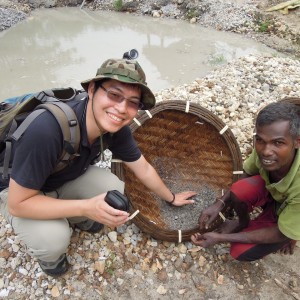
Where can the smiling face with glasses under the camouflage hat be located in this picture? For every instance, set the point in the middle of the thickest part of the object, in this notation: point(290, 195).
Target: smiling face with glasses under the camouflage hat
point(115, 104)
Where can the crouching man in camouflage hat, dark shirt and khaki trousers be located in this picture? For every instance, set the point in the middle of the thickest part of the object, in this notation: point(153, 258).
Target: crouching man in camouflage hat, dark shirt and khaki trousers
point(40, 204)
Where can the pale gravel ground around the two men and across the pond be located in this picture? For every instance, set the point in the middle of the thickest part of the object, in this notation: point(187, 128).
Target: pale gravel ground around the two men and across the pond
point(127, 264)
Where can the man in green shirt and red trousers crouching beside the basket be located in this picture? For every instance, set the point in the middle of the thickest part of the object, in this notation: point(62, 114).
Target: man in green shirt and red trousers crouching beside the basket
point(272, 182)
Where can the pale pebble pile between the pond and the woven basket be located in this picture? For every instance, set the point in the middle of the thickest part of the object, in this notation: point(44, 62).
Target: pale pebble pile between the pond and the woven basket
point(236, 92)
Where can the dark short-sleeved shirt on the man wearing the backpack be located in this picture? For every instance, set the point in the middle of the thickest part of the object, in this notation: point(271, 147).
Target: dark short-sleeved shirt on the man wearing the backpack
point(37, 153)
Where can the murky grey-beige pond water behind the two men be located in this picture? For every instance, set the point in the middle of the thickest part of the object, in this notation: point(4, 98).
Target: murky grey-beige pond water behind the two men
point(61, 47)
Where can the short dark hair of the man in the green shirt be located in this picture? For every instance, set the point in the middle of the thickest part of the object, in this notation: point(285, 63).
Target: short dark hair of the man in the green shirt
point(280, 111)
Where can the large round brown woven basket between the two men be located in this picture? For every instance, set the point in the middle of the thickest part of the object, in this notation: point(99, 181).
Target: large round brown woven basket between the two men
point(188, 149)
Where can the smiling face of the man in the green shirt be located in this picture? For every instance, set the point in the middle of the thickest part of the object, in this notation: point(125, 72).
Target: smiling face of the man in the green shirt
point(276, 147)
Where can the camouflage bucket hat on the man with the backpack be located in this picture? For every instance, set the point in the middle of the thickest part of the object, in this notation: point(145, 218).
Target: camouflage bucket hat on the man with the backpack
point(128, 71)
